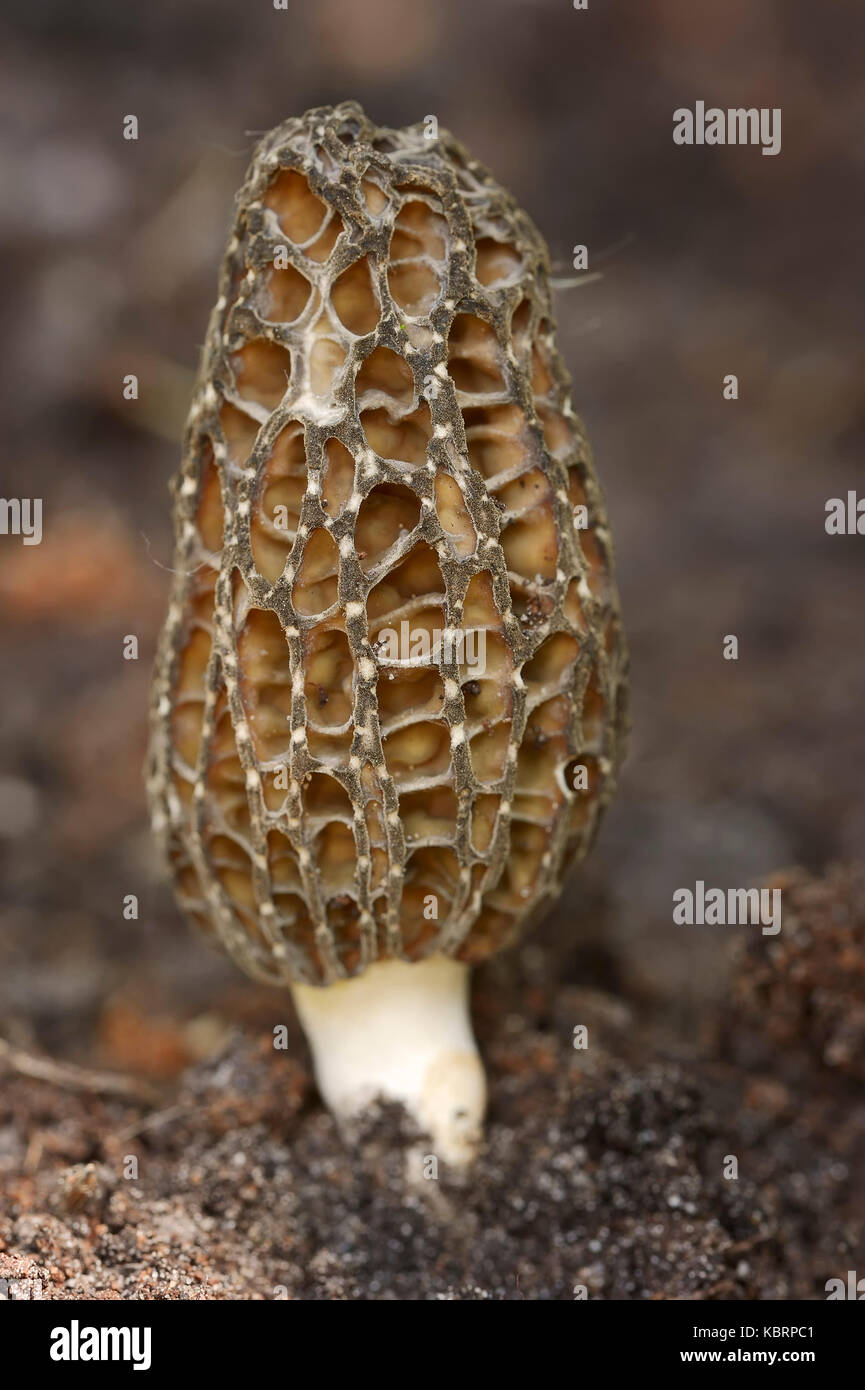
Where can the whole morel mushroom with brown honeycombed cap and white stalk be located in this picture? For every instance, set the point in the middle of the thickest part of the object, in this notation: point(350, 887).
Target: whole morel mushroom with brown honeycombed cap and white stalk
point(390, 697)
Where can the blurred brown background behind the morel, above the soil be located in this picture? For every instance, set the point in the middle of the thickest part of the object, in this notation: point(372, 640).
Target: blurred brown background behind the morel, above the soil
point(716, 261)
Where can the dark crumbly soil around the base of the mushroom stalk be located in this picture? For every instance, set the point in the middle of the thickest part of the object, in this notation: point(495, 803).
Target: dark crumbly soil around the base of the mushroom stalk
point(607, 1174)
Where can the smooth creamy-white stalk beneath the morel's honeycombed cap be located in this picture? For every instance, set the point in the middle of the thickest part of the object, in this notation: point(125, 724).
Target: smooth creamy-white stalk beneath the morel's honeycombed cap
point(403, 1032)
